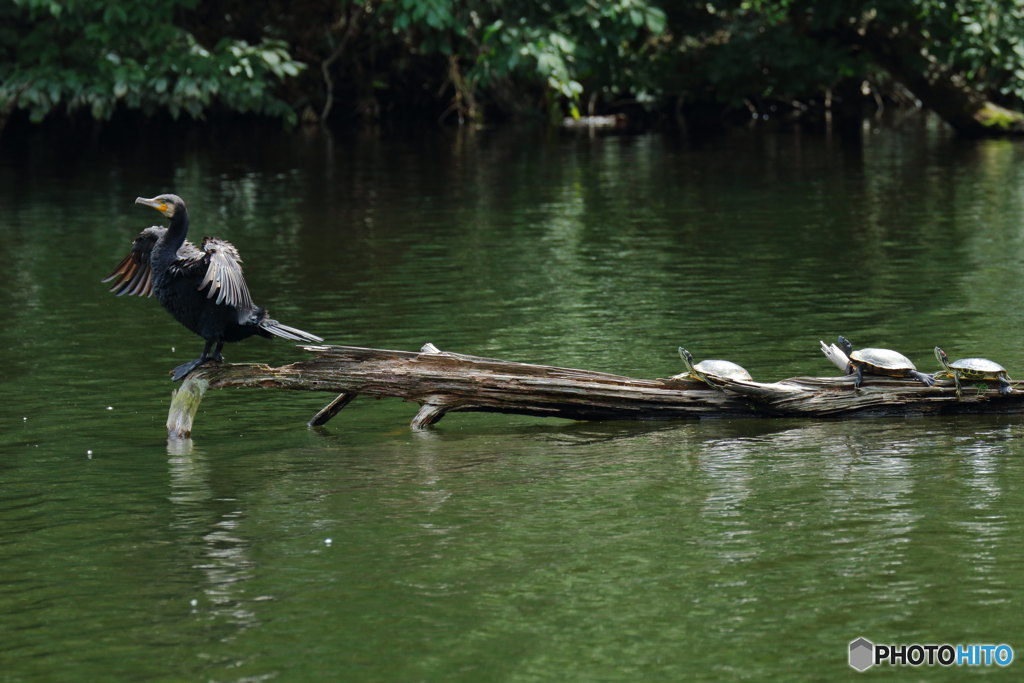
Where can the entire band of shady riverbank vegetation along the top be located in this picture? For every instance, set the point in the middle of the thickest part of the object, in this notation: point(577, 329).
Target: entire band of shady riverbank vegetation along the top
point(351, 62)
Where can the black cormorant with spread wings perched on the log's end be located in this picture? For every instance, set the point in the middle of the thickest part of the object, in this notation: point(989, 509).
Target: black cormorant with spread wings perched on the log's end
point(202, 288)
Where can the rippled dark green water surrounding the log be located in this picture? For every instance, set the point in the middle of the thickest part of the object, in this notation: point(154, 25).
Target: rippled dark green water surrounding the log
point(495, 547)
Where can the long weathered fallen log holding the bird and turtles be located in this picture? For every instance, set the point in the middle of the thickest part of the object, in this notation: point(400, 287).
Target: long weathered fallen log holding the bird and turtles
point(442, 382)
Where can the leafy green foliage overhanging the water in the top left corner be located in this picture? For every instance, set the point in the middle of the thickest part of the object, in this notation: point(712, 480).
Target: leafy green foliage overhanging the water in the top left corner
point(100, 56)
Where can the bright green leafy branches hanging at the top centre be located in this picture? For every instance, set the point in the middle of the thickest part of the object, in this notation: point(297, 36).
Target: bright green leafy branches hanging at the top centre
point(566, 47)
